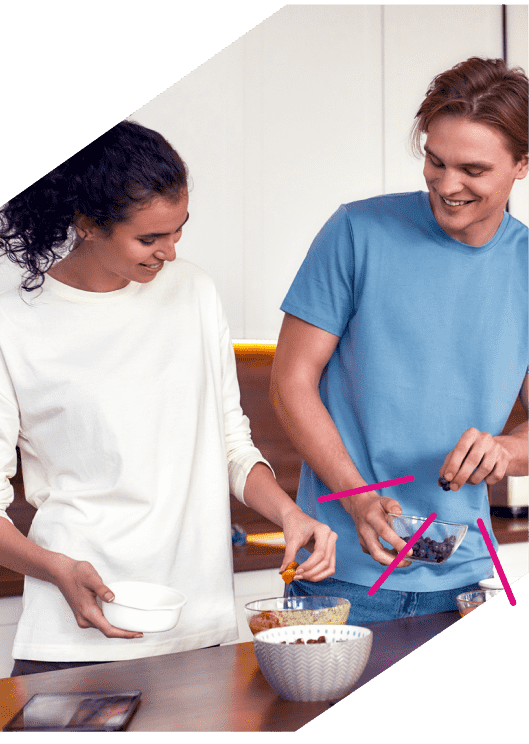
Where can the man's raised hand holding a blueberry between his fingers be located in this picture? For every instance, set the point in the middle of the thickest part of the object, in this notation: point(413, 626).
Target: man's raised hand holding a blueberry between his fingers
point(476, 457)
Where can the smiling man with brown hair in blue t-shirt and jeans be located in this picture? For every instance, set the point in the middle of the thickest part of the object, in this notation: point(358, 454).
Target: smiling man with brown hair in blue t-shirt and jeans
point(404, 347)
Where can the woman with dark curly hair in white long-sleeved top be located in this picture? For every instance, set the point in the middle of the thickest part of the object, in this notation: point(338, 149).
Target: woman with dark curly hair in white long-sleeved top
point(118, 383)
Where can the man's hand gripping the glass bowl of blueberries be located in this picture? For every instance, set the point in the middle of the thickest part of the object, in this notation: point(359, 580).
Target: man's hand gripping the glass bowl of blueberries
point(369, 512)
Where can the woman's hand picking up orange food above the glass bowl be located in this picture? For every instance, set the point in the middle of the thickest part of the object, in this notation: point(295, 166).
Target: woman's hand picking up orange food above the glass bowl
point(300, 529)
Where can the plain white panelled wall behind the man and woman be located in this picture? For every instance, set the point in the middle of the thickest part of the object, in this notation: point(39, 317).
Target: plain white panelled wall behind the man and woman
point(310, 109)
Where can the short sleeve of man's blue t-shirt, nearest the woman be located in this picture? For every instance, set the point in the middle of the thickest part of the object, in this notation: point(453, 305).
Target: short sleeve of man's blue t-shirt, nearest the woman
point(322, 292)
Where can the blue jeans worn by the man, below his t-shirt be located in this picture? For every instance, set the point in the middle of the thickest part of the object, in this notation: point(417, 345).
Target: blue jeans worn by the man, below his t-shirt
point(384, 604)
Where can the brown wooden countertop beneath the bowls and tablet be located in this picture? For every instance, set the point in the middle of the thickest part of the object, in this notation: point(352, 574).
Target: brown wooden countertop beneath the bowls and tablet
point(218, 689)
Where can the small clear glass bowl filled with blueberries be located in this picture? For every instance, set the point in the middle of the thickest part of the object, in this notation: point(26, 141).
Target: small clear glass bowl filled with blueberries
point(436, 544)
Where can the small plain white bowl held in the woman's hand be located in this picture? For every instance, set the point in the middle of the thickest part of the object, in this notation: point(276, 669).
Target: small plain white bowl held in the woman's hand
point(143, 607)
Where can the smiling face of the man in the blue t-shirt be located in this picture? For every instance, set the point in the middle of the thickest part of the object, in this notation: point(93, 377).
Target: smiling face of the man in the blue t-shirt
point(469, 173)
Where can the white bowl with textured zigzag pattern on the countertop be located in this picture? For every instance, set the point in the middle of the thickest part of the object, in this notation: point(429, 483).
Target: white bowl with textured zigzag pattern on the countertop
point(314, 672)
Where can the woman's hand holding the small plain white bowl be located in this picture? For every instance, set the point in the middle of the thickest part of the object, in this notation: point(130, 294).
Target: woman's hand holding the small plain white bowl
point(80, 584)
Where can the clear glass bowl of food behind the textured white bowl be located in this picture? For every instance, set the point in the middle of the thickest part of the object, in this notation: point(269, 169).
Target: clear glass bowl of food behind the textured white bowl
point(280, 612)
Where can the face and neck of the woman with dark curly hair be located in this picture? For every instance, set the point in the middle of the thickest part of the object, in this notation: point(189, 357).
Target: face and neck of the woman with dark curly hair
point(135, 250)
